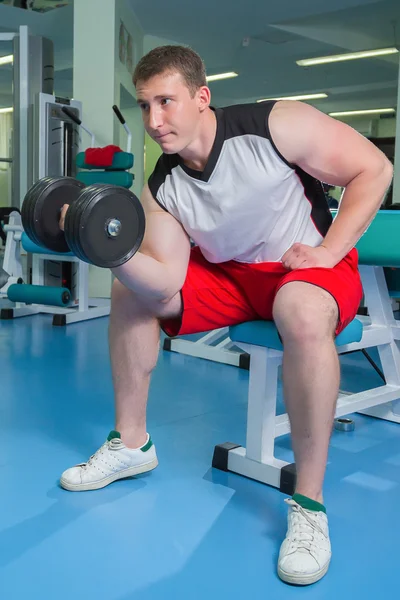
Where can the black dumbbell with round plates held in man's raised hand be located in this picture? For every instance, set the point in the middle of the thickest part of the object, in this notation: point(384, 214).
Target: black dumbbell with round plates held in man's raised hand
point(104, 224)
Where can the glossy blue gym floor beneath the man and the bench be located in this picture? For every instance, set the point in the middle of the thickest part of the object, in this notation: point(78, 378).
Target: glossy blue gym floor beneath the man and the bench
point(185, 531)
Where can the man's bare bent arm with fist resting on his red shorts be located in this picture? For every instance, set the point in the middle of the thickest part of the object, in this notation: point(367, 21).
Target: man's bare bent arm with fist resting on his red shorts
point(334, 153)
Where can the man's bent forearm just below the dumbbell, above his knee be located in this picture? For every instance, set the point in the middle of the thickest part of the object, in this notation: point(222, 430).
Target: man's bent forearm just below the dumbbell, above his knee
point(148, 277)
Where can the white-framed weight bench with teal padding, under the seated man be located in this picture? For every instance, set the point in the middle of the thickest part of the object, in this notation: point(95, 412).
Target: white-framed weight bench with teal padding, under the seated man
point(379, 247)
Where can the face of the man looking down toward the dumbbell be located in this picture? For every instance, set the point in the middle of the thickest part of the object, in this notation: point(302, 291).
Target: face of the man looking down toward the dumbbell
point(170, 115)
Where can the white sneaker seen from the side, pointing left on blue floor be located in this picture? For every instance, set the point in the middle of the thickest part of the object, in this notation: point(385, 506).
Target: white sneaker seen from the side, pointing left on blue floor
point(112, 461)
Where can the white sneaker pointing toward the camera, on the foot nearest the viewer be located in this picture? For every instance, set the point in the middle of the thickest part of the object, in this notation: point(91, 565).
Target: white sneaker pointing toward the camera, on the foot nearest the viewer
point(306, 552)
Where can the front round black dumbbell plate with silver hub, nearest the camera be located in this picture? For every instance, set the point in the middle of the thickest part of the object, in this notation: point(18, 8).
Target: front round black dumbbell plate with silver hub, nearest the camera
point(94, 244)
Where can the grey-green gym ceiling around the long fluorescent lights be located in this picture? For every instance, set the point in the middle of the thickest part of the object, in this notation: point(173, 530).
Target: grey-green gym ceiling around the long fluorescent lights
point(261, 40)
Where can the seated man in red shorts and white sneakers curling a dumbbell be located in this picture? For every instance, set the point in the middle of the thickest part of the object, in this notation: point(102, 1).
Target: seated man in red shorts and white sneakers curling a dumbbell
point(243, 183)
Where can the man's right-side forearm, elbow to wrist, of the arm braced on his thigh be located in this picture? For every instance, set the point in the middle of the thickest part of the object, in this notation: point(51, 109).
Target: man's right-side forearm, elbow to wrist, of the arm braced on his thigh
point(361, 200)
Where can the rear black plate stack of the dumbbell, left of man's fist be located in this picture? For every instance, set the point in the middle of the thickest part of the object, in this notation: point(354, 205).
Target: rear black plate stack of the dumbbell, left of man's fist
point(45, 201)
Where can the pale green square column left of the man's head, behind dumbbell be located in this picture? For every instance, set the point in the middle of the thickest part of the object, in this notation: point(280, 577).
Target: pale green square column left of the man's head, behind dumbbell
point(108, 43)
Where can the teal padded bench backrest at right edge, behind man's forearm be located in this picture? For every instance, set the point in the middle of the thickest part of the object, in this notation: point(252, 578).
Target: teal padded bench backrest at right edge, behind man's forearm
point(380, 245)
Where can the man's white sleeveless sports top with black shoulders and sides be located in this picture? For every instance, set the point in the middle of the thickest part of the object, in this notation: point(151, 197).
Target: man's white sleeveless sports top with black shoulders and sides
point(249, 204)
